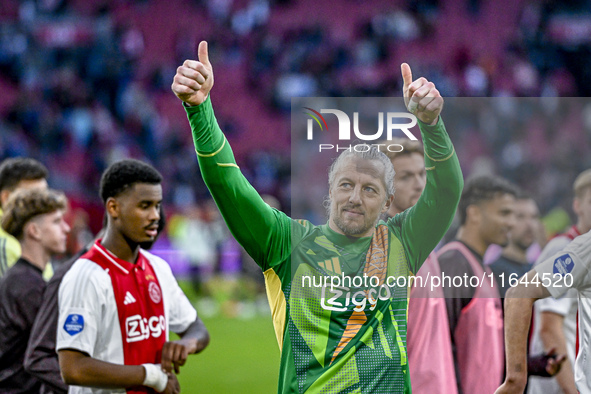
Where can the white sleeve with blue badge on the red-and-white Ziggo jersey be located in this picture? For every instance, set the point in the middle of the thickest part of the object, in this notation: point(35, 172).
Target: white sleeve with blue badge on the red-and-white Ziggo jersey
point(81, 298)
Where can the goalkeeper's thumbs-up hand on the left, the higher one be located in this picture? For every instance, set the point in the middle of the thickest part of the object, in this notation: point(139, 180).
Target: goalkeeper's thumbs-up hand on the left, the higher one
point(194, 79)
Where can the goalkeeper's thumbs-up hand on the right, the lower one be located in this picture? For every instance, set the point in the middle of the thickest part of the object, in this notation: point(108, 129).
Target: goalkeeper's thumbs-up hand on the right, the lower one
point(420, 97)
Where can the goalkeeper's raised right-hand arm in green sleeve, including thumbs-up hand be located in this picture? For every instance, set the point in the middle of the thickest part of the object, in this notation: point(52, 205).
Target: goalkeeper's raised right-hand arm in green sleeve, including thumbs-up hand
point(423, 225)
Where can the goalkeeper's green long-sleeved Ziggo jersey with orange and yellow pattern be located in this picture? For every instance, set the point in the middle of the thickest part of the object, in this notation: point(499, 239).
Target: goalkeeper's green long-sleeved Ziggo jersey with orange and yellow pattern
point(350, 337)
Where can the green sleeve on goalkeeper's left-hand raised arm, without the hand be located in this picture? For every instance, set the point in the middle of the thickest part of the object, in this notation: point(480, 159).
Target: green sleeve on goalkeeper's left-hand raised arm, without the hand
point(264, 232)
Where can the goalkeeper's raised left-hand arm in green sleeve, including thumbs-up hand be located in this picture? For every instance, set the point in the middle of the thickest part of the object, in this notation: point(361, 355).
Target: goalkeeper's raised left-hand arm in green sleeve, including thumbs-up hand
point(264, 232)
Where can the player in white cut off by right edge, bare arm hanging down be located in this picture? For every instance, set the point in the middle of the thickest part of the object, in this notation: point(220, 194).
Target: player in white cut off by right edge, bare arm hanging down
point(568, 269)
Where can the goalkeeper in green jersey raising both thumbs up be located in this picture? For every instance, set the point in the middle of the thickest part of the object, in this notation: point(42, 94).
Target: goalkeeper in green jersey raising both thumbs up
point(328, 343)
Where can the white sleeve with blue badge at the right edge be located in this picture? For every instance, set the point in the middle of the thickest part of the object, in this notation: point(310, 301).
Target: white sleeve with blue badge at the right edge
point(568, 268)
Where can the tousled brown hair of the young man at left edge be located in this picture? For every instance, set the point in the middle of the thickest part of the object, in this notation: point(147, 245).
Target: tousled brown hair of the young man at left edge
point(24, 205)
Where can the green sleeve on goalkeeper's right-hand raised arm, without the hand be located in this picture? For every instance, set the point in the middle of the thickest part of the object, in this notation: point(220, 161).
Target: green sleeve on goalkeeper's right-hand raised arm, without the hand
point(423, 225)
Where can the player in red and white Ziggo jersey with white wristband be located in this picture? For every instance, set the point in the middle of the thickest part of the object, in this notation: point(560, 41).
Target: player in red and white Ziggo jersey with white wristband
point(118, 303)
